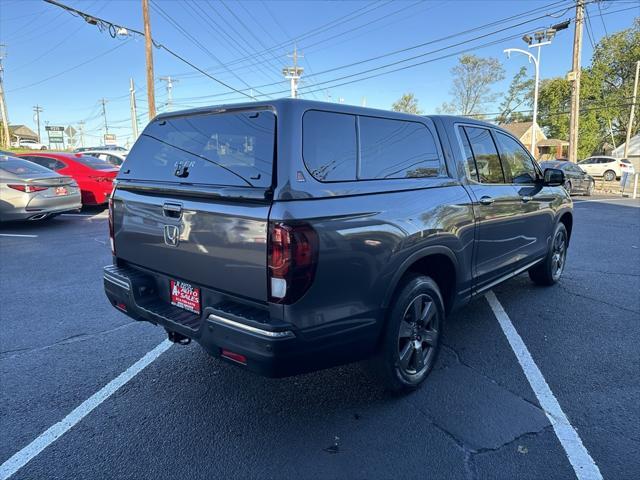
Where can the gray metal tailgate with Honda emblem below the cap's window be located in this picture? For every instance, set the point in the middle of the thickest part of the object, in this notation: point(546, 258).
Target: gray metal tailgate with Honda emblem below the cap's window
point(220, 245)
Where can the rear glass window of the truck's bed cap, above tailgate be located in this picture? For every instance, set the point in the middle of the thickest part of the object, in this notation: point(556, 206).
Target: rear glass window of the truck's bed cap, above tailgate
point(231, 149)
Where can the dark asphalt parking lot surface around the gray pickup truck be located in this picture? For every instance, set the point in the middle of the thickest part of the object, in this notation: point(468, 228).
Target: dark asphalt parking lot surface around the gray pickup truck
point(187, 415)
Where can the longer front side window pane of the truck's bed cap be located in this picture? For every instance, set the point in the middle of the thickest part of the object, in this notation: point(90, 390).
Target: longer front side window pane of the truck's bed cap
point(397, 149)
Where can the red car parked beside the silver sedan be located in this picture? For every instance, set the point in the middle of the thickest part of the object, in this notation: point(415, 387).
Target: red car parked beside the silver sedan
point(94, 176)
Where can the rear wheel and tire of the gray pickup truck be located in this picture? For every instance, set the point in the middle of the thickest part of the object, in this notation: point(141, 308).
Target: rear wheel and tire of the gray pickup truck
point(411, 340)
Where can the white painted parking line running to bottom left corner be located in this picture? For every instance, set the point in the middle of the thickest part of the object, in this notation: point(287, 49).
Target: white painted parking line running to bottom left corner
point(28, 453)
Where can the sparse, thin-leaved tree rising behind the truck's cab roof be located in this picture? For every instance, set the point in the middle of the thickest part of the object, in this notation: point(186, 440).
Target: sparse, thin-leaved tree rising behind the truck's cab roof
point(473, 79)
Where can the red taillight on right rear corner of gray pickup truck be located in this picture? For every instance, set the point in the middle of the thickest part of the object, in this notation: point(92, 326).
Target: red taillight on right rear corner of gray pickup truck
point(293, 255)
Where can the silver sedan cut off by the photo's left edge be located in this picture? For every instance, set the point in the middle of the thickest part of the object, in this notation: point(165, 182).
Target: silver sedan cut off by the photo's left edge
point(31, 192)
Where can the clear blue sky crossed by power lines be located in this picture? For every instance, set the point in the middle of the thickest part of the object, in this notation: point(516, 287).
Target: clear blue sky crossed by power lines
point(43, 41)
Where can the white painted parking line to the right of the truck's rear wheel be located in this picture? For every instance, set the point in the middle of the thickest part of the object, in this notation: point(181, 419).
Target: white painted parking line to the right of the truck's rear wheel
point(582, 463)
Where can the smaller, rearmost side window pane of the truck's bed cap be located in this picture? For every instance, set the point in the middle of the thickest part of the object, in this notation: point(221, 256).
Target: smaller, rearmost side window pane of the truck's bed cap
point(329, 145)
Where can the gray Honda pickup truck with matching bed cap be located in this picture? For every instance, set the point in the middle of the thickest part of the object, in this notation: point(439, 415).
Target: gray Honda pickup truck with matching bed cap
point(290, 235)
